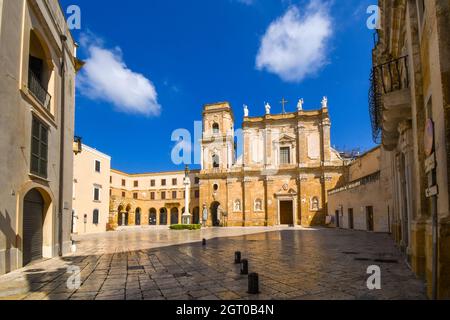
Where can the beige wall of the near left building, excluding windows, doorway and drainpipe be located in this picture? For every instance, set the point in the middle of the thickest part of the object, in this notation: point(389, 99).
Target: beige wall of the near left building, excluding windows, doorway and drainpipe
point(17, 20)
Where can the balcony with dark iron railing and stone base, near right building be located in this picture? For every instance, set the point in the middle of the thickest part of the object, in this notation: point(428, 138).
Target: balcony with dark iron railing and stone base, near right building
point(390, 100)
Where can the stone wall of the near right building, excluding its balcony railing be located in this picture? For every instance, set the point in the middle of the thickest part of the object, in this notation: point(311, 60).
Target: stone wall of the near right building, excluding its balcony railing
point(423, 38)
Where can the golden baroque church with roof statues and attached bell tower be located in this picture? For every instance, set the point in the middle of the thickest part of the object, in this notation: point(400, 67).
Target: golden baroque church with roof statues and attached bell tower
point(282, 178)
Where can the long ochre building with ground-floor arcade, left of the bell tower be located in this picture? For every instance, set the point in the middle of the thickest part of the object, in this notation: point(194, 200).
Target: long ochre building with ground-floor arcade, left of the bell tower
point(152, 198)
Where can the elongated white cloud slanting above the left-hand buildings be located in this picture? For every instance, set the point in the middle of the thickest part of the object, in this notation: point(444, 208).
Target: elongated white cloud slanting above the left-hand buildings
point(106, 77)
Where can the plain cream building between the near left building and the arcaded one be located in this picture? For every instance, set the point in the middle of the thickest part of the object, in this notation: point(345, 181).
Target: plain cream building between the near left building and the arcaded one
point(91, 185)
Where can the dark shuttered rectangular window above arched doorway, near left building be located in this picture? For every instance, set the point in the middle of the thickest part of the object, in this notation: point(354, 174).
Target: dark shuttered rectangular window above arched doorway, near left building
point(39, 148)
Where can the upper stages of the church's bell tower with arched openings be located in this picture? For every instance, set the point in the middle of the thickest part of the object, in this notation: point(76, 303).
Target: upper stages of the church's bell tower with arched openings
point(218, 152)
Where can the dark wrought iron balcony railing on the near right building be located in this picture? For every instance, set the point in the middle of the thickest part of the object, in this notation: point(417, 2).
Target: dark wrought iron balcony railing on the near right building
point(393, 75)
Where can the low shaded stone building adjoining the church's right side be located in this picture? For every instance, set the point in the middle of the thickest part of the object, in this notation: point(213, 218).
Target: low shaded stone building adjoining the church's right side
point(364, 200)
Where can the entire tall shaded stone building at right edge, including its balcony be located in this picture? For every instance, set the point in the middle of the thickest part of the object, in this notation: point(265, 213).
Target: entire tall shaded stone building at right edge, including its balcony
point(410, 103)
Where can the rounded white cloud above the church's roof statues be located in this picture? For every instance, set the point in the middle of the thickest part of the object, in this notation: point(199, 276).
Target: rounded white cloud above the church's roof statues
point(295, 45)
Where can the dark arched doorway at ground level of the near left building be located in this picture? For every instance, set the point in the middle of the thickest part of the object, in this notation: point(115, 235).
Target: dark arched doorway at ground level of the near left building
point(33, 221)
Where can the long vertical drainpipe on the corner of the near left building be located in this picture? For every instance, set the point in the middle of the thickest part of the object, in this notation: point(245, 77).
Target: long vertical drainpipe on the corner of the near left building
point(62, 145)
